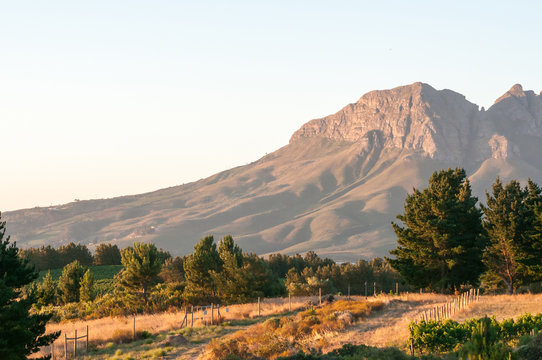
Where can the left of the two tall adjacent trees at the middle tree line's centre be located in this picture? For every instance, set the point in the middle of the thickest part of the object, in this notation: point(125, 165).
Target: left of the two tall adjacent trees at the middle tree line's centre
point(200, 286)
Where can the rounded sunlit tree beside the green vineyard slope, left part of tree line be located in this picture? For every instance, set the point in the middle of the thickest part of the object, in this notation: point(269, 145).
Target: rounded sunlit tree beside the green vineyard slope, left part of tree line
point(142, 264)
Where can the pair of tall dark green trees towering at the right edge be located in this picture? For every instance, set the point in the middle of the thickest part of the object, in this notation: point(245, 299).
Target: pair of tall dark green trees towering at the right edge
point(446, 240)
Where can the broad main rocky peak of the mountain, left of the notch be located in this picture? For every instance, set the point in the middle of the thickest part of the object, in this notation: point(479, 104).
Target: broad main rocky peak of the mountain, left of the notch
point(414, 117)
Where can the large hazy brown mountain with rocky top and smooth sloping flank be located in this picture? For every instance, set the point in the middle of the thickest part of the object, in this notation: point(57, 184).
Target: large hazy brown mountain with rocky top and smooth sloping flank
point(333, 189)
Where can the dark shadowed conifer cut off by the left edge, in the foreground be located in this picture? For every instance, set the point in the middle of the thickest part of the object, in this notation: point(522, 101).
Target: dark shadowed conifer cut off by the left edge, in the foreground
point(21, 333)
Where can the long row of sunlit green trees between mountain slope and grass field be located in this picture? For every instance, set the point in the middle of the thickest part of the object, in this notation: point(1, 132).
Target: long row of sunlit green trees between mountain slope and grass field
point(152, 280)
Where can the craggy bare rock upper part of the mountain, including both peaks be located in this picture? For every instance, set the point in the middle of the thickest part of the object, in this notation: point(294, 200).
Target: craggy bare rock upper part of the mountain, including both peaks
point(440, 124)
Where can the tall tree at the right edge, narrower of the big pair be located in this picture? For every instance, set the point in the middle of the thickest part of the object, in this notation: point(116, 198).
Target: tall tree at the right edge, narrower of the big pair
point(509, 221)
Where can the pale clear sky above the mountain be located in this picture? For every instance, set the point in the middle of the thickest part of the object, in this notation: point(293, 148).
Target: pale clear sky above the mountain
point(107, 98)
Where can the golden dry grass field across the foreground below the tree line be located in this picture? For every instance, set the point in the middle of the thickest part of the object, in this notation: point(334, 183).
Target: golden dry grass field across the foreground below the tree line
point(110, 338)
